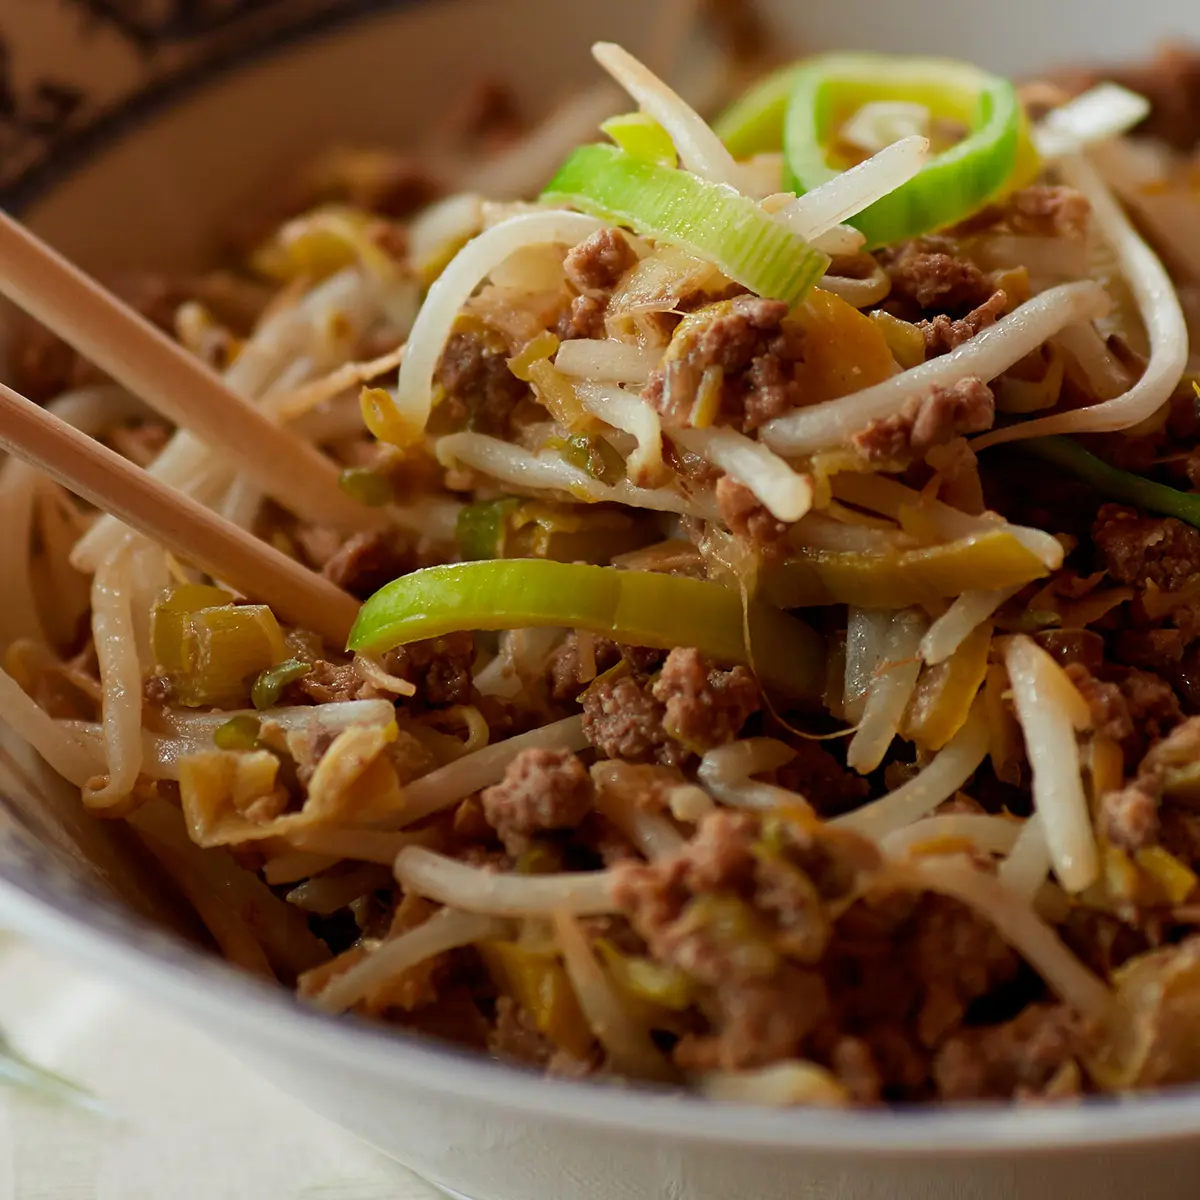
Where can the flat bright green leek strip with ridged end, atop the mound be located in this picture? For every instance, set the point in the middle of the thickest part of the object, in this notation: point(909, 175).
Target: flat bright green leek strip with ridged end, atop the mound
point(710, 220)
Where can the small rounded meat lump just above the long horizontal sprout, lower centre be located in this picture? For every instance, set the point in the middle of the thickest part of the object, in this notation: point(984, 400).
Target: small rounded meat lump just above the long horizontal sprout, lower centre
point(541, 790)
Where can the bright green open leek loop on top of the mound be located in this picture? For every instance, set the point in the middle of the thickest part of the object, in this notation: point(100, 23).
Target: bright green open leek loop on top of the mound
point(829, 89)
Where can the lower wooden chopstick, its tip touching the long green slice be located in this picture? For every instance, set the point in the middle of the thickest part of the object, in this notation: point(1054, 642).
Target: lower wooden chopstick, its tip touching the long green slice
point(175, 520)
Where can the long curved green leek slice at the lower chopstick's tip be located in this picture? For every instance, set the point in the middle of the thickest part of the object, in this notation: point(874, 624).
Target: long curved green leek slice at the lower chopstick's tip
point(637, 608)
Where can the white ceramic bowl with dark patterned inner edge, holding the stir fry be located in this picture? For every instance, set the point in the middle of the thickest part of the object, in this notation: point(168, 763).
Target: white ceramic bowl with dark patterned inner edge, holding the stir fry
point(128, 140)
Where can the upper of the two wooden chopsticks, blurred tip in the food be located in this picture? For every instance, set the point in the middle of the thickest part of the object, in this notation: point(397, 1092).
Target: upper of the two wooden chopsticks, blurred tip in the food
point(171, 381)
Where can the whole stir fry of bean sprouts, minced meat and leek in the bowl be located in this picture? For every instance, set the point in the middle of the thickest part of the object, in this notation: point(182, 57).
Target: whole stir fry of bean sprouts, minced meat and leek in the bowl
point(778, 543)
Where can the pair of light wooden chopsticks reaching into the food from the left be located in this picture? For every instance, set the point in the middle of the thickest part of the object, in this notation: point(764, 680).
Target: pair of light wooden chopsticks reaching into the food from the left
point(185, 392)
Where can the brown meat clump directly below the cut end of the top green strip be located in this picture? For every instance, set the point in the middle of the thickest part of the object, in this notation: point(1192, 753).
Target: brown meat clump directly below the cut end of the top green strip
point(747, 339)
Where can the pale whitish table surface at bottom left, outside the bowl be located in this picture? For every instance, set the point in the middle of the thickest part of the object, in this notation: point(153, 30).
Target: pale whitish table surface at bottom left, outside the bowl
point(190, 1123)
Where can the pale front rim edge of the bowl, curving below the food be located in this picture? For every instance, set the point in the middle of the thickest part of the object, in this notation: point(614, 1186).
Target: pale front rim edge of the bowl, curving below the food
point(217, 995)
